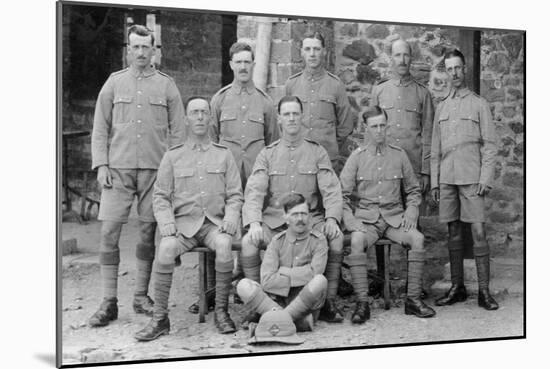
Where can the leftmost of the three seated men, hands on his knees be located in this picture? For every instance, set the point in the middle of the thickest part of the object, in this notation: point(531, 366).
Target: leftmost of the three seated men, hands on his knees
point(197, 200)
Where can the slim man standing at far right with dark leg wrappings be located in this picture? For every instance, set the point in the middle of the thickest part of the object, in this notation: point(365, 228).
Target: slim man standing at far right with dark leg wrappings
point(462, 162)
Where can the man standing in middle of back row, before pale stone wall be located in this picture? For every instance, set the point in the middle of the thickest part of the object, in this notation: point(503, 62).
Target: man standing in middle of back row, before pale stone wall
point(327, 115)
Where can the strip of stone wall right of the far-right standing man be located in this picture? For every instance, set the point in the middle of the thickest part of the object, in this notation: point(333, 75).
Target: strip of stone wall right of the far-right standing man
point(502, 84)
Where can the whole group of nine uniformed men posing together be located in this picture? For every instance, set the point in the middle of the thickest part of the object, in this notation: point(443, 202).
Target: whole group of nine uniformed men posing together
point(188, 166)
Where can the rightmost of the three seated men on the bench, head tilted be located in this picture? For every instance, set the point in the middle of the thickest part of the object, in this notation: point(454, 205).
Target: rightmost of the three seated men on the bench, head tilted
point(381, 173)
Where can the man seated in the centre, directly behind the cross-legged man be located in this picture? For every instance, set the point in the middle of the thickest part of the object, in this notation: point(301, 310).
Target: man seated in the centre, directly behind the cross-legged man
point(293, 164)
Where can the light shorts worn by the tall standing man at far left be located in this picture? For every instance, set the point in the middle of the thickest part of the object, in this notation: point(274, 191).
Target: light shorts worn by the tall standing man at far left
point(117, 201)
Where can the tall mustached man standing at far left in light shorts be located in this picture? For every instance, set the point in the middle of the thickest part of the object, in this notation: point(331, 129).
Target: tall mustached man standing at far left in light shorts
point(138, 116)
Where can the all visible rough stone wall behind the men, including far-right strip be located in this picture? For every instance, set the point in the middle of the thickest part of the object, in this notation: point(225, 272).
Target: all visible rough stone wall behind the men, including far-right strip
point(359, 53)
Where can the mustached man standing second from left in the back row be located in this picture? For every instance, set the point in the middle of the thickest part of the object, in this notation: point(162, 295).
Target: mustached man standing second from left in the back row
point(243, 116)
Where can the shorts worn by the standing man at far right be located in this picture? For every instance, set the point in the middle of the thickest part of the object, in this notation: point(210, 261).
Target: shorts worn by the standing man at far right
point(461, 202)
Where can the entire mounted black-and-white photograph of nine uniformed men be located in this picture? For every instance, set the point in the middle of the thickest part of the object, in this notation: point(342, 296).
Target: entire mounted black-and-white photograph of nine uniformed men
point(234, 183)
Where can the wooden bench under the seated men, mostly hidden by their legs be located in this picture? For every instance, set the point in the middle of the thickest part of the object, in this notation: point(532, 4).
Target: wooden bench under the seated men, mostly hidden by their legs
point(383, 248)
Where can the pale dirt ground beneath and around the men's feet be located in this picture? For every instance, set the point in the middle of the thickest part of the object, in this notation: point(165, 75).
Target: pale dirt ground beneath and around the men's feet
point(82, 295)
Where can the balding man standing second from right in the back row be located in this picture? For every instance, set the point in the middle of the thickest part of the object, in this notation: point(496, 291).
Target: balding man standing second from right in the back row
point(409, 108)
